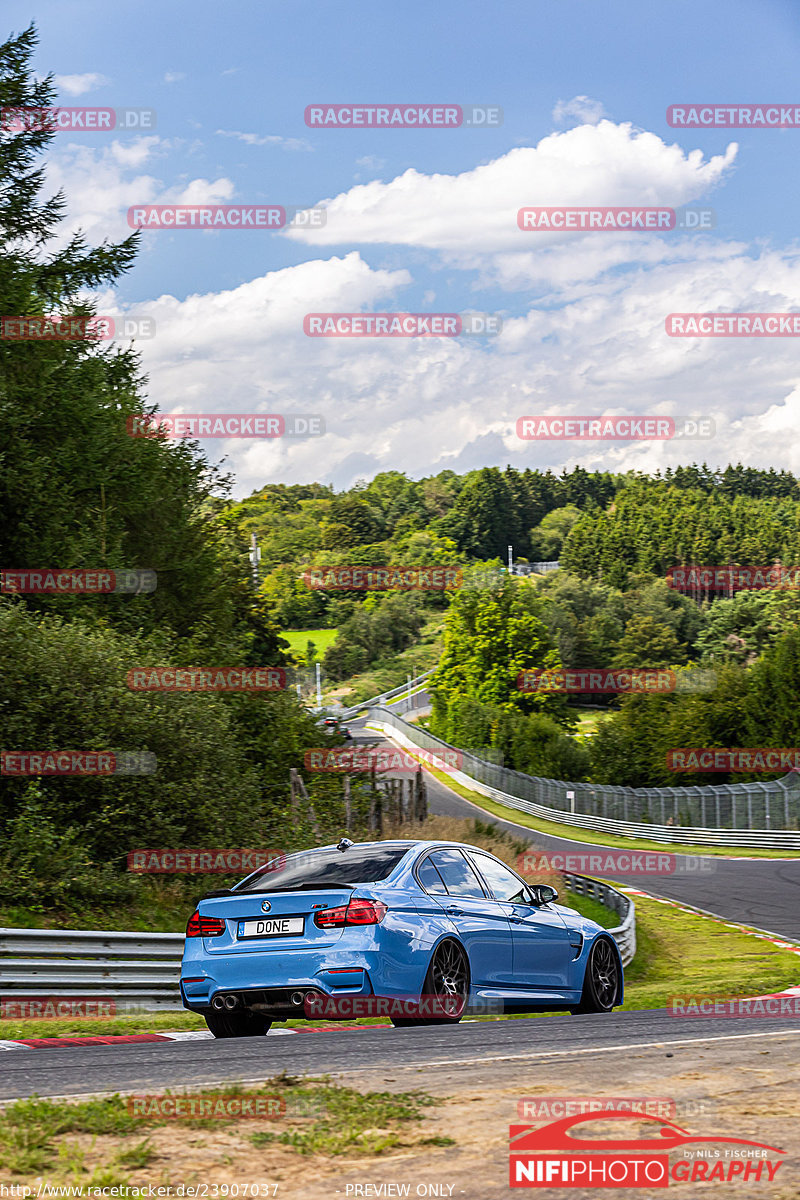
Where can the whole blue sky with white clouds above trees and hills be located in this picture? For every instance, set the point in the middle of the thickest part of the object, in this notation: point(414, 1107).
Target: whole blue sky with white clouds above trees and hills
point(226, 79)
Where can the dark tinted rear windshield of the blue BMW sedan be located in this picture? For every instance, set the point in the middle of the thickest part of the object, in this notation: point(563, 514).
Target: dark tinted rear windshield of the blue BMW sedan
point(328, 868)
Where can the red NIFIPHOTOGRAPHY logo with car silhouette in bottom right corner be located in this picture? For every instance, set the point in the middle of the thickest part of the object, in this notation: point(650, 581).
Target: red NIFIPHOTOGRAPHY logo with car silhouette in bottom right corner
point(555, 1156)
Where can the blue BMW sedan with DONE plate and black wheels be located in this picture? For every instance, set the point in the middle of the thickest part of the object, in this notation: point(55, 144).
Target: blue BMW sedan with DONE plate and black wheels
point(422, 932)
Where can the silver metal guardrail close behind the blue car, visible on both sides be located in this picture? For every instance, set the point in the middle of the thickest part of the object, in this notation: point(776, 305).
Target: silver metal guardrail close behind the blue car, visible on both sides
point(142, 971)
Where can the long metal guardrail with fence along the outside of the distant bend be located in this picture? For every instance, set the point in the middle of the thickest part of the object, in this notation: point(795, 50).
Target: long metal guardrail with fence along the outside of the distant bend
point(763, 814)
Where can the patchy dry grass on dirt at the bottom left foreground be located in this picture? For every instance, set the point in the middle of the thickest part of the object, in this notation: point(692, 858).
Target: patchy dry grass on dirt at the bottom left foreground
point(316, 1119)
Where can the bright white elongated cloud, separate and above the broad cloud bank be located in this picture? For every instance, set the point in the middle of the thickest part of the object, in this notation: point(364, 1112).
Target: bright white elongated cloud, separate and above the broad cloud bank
point(473, 217)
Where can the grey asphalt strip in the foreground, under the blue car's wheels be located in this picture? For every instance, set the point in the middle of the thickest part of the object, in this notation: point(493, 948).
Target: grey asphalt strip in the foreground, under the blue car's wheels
point(149, 1066)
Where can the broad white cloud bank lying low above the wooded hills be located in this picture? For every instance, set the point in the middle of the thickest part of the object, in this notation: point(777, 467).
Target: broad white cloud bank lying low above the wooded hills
point(420, 406)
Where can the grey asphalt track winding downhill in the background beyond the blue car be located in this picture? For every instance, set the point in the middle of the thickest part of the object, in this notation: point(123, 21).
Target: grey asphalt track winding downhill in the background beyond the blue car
point(761, 892)
